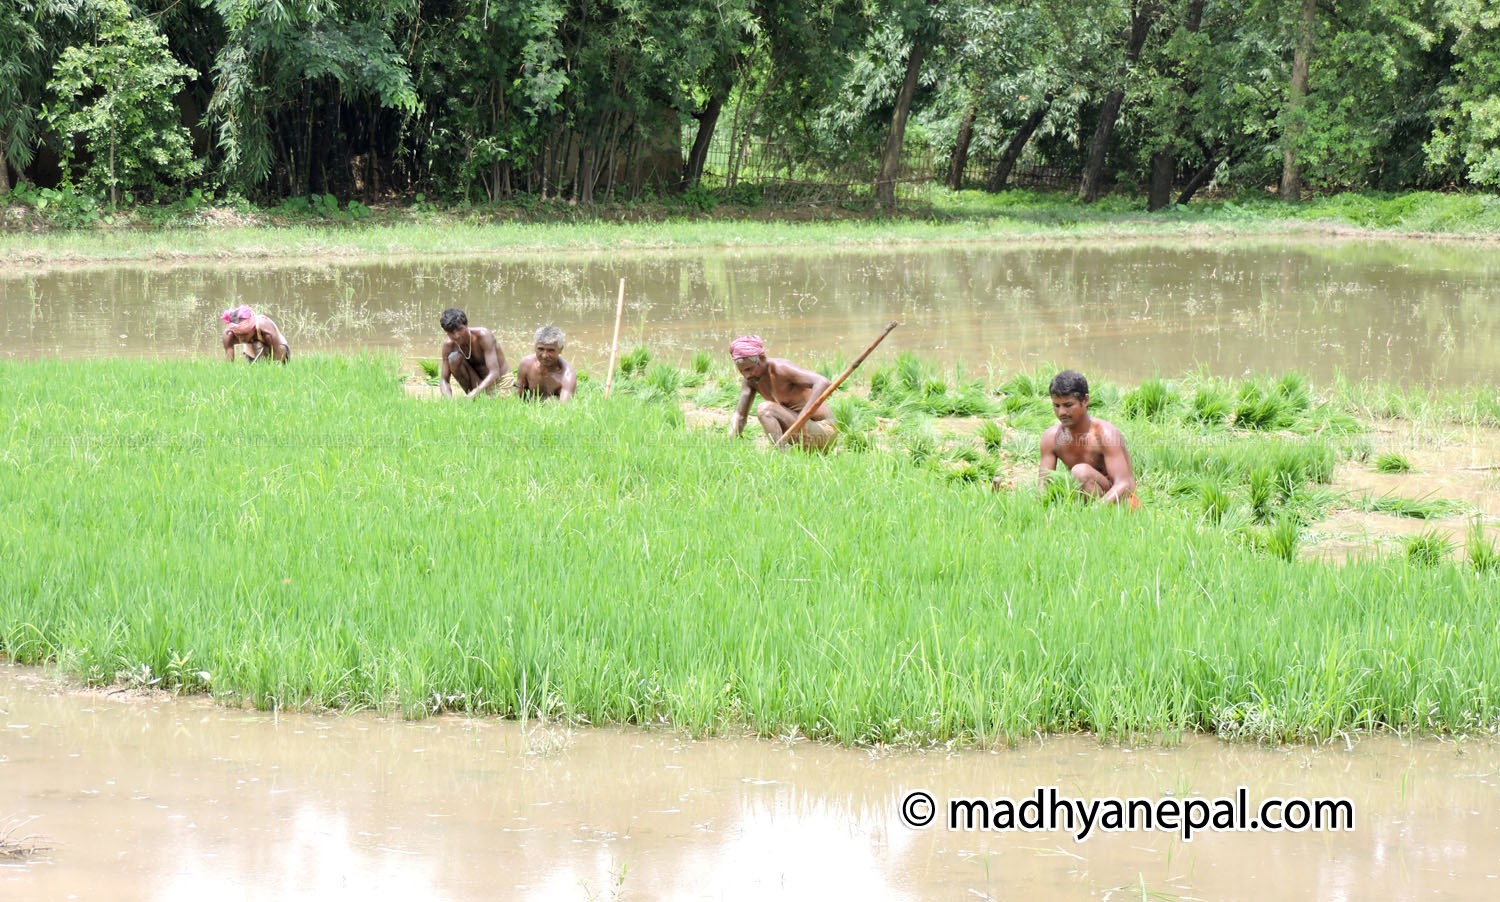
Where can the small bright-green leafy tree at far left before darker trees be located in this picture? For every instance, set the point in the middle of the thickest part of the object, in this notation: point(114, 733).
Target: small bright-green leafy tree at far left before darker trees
point(115, 106)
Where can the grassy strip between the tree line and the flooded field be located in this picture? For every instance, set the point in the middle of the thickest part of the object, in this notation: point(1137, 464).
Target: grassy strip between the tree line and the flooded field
point(965, 217)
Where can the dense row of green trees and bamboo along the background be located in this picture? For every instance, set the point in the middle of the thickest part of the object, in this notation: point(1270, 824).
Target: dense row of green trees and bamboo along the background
point(613, 100)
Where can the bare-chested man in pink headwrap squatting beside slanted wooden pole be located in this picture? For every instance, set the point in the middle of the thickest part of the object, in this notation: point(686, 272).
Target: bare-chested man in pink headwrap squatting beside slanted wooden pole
point(787, 389)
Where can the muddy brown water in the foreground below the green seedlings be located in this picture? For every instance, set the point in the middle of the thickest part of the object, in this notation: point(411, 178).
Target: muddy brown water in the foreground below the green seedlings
point(152, 798)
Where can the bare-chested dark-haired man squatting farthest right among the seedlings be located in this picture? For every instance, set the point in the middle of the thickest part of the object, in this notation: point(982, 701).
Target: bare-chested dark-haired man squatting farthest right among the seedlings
point(1094, 451)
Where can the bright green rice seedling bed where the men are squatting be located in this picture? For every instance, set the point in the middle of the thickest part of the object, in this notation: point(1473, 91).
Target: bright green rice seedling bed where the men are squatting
point(314, 537)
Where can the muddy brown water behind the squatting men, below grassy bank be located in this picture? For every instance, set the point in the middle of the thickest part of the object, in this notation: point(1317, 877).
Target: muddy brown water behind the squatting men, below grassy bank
point(1396, 311)
